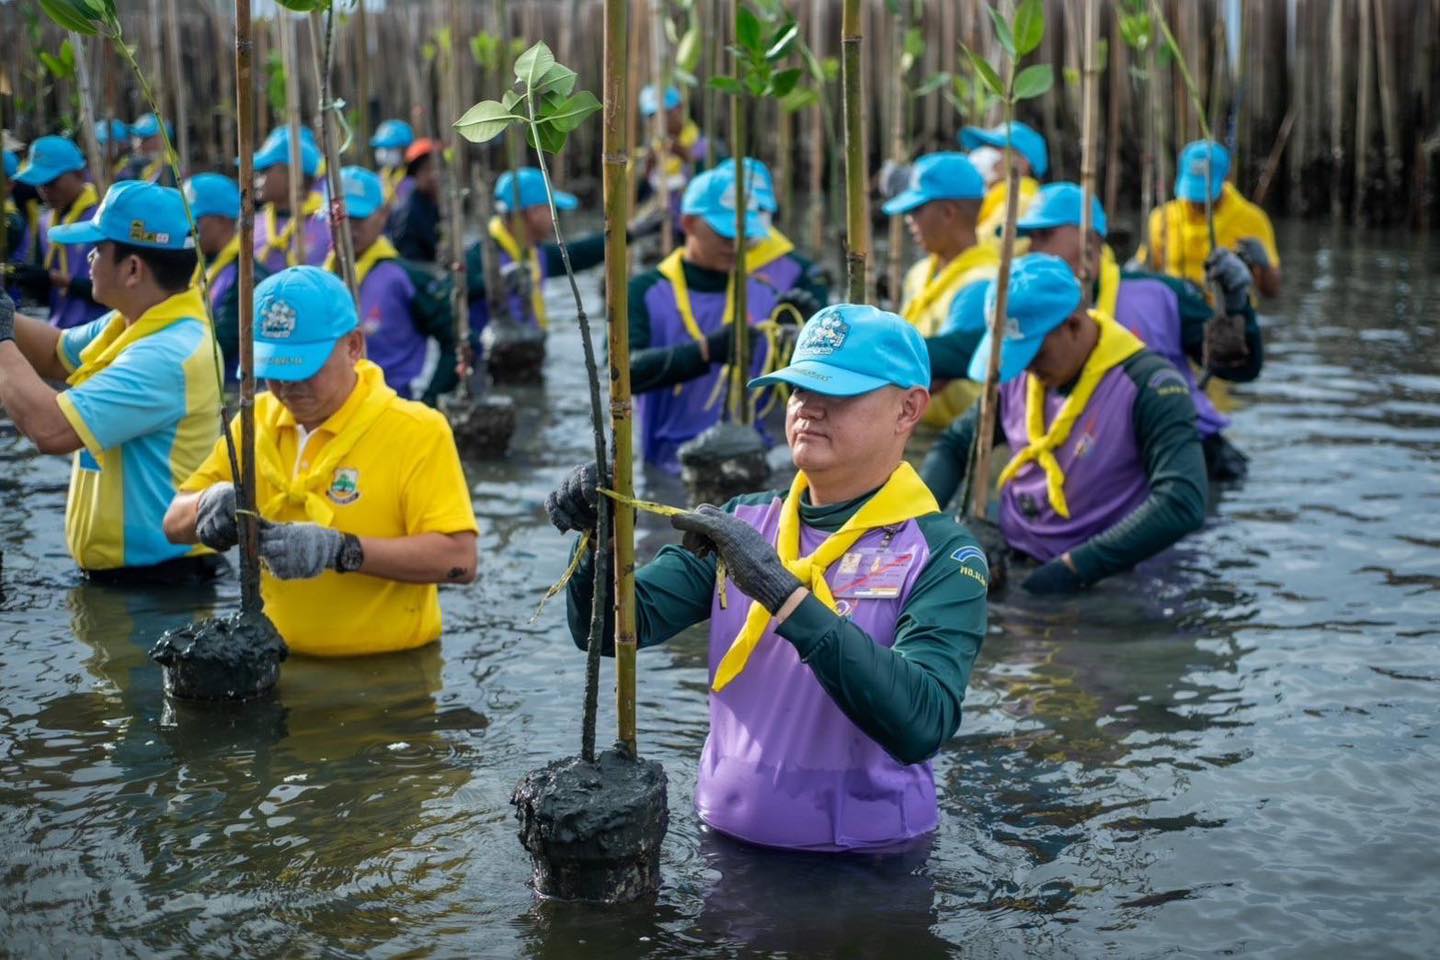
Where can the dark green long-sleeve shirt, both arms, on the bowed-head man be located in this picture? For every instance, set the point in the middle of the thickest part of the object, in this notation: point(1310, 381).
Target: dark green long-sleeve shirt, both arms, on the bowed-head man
point(1164, 424)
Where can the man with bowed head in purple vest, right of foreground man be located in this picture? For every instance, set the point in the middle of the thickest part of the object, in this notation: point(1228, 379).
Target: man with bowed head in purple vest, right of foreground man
point(1107, 466)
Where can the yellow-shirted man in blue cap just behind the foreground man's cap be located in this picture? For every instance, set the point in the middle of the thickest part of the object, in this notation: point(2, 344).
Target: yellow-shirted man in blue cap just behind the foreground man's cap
point(941, 205)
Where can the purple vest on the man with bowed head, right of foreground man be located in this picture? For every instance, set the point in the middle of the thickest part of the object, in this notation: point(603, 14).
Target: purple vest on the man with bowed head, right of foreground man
point(1105, 477)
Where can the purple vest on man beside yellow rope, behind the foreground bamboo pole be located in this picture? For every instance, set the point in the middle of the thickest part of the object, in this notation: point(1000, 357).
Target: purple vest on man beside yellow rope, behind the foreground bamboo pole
point(672, 417)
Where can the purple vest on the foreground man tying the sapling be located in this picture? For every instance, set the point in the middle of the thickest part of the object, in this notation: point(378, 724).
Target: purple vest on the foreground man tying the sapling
point(783, 765)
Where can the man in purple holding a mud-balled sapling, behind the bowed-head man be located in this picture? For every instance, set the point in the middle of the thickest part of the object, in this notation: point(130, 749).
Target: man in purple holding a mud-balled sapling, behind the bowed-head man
point(1169, 314)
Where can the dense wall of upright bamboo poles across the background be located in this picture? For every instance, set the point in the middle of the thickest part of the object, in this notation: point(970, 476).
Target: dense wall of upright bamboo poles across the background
point(1333, 106)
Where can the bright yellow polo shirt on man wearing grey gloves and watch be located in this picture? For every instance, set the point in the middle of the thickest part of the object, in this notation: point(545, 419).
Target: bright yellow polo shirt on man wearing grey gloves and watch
point(401, 479)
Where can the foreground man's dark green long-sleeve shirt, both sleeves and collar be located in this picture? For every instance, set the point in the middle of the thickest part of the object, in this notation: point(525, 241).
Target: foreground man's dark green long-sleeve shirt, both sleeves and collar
point(906, 697)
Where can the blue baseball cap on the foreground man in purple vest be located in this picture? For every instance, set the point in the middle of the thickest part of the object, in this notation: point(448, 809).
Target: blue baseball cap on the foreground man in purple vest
point(852, 349)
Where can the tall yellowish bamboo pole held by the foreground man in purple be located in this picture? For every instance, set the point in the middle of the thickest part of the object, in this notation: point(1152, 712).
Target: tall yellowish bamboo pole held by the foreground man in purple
point(617, 317)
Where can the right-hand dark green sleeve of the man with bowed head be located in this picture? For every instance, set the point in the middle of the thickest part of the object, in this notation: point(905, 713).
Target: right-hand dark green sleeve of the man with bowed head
point(1176, 466)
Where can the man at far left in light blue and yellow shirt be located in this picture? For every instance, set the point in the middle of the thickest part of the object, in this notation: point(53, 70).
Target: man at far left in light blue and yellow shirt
point(143, 404)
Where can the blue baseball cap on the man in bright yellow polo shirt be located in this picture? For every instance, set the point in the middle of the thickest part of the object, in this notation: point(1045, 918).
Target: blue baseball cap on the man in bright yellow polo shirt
point(300, 314)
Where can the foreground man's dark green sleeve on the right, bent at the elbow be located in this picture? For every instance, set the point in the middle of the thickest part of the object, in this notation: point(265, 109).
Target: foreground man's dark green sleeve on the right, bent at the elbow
point(906, 697)
